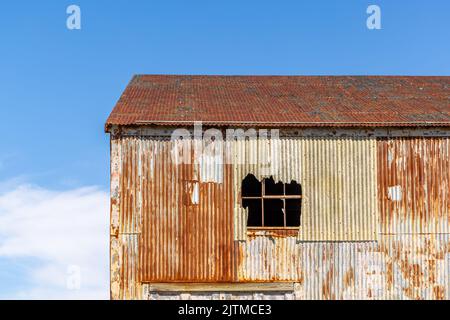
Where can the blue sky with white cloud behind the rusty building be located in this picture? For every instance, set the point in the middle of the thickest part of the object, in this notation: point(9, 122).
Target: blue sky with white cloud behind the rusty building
point(57, 86)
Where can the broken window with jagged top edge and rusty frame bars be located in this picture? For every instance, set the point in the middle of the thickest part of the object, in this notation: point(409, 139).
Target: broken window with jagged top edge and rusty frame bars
point(270, 203)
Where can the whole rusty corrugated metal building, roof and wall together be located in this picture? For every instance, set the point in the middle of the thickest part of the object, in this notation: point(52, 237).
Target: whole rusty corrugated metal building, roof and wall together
point(371, 155)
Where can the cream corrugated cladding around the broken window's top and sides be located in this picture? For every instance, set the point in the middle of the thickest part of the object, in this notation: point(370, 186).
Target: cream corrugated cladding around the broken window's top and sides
point(338, 178)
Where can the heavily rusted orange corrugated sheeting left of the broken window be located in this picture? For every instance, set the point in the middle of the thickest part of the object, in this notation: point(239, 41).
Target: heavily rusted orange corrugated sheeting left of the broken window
point(180, 241)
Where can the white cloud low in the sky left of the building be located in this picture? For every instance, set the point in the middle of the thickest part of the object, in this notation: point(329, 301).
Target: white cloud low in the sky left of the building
point(62, 230)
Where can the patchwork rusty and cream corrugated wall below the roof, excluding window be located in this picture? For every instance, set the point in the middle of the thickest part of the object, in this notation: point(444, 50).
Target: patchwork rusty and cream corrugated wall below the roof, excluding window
point(172, 222)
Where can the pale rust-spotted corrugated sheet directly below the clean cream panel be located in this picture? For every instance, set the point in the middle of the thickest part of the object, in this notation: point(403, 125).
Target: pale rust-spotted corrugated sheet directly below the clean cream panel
point(338, 270)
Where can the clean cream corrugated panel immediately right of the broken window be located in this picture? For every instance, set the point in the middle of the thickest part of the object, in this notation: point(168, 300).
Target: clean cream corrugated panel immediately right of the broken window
point(339, 186)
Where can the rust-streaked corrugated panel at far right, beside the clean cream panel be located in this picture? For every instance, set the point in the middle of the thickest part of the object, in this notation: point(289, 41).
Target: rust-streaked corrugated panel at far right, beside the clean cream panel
point(414, 185)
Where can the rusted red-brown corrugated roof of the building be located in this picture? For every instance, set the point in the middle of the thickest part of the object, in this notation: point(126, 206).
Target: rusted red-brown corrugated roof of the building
point(377, 101)
